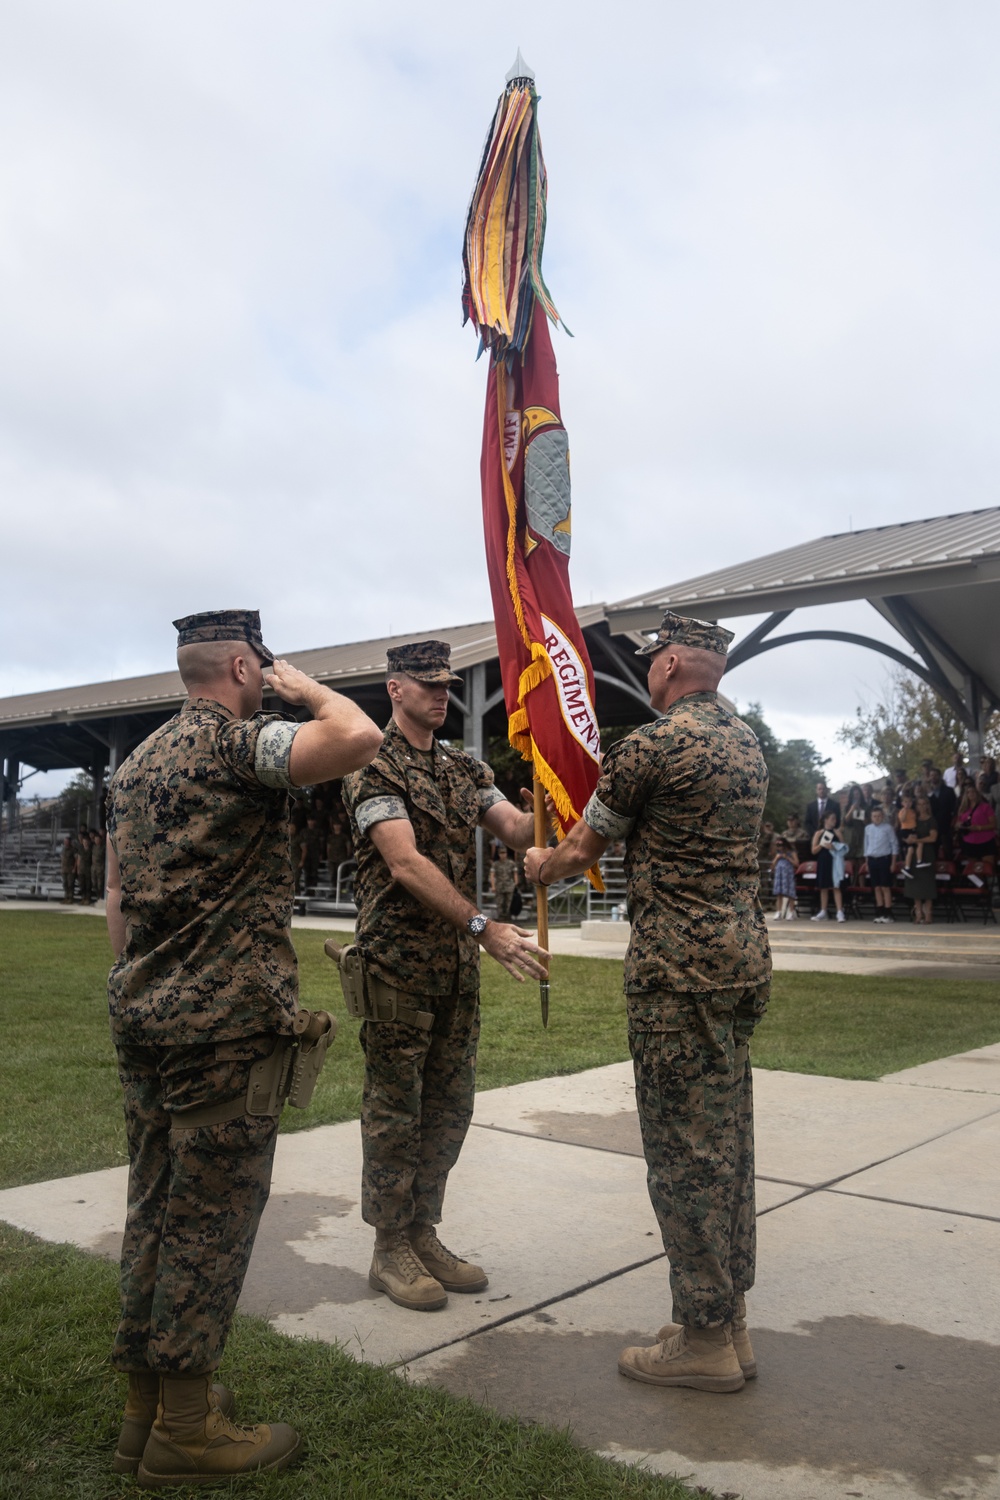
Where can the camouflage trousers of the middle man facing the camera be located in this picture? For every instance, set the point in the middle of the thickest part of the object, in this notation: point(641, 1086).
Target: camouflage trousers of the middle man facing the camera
point(416, 1109)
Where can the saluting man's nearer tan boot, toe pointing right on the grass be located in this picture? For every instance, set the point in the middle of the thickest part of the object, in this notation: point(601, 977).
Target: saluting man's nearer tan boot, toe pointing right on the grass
point(194, 1444)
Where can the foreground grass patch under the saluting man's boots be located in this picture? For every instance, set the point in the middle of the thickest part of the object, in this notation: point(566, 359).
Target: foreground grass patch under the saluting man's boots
point(368, 1433)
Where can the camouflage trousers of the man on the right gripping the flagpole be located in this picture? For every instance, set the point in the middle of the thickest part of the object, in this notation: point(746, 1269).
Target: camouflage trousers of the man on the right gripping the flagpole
point(695, 1096)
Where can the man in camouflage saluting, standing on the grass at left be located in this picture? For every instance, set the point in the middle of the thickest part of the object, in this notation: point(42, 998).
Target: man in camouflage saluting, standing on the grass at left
point(205, 986)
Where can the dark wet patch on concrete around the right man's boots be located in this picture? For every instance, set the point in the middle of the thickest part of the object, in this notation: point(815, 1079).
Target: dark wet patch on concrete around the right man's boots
point(849, 1396)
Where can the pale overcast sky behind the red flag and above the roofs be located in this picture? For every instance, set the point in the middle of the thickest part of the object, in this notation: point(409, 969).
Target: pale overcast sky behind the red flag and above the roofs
point(233, 367)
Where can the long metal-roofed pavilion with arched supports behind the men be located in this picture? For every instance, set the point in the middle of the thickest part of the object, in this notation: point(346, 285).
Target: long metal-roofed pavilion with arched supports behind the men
point(936, 583)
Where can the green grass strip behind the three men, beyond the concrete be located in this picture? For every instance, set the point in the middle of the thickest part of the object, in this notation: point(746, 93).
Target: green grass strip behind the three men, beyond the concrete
point(61, 1108)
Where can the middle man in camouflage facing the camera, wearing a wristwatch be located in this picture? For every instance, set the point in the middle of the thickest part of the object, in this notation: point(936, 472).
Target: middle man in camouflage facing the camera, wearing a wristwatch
point(415, 812)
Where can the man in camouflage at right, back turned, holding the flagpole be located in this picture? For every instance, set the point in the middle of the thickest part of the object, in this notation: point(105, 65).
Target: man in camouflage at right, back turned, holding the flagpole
point(687, 794)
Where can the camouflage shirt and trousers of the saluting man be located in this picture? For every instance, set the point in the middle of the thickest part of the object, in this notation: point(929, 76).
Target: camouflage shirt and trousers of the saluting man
point(206, 983)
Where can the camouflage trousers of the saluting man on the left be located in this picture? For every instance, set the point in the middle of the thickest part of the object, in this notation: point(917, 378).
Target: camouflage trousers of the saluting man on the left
point(196, 1199)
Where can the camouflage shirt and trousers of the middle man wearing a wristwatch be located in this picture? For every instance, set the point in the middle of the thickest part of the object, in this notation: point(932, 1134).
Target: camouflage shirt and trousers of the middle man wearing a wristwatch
point(419, 1084)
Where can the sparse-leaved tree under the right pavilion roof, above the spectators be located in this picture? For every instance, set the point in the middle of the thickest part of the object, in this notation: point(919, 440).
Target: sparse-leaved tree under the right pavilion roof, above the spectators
point(911, 724)
